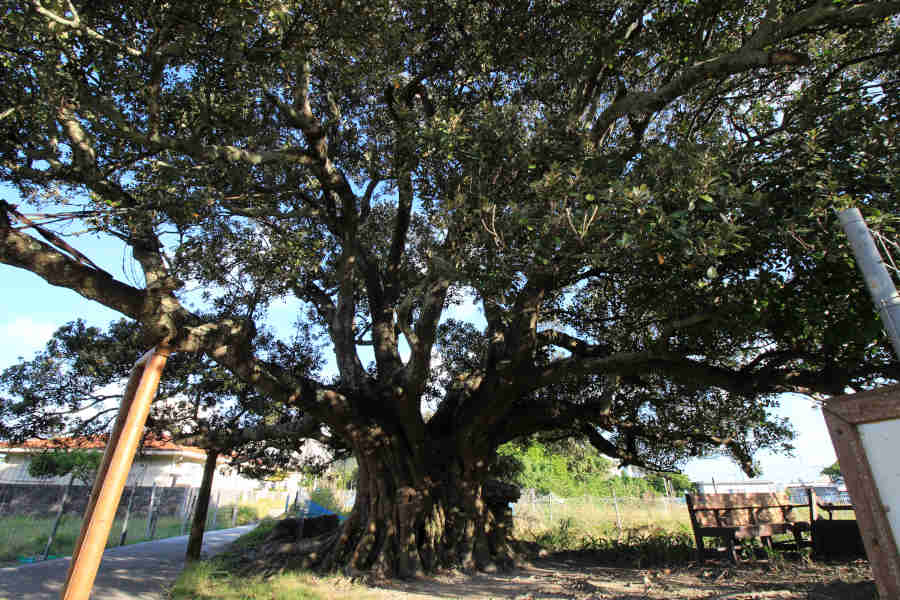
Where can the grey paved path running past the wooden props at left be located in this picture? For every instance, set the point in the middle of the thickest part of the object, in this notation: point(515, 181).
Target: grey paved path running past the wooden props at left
point(136, 572)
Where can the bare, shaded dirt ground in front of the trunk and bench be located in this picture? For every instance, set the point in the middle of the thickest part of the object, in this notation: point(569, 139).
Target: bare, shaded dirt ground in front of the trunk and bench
point(575, 576)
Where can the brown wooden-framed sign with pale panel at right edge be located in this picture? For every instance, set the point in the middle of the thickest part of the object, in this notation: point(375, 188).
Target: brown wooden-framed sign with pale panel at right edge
point(857, 423)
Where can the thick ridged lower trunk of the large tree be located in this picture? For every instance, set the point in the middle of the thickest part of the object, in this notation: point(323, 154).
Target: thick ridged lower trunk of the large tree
point(421, 509)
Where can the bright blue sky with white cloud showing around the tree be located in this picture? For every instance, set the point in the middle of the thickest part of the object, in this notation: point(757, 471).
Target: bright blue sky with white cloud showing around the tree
point(31, 310)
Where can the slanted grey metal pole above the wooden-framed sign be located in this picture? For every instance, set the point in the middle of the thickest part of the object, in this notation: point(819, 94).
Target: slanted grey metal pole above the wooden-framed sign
point(878, 280)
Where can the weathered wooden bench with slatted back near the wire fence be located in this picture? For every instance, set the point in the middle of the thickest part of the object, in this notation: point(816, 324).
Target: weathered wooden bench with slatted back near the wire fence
point(734, 518)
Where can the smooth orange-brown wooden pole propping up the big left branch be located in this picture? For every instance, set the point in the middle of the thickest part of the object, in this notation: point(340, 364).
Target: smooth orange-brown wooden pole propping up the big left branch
point(113, 472)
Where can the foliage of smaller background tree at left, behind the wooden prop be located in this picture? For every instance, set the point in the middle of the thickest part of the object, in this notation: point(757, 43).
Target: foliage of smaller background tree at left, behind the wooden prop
point(74, 387)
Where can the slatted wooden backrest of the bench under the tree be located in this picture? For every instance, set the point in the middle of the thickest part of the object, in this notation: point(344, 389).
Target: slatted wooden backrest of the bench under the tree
point(734, 510)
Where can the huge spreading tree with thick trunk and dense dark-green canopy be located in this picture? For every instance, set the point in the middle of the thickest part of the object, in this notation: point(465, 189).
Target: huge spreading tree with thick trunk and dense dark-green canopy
point(637, 198)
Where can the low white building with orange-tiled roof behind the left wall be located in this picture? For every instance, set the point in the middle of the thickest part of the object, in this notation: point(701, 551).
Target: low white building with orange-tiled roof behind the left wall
point(160, 461)
